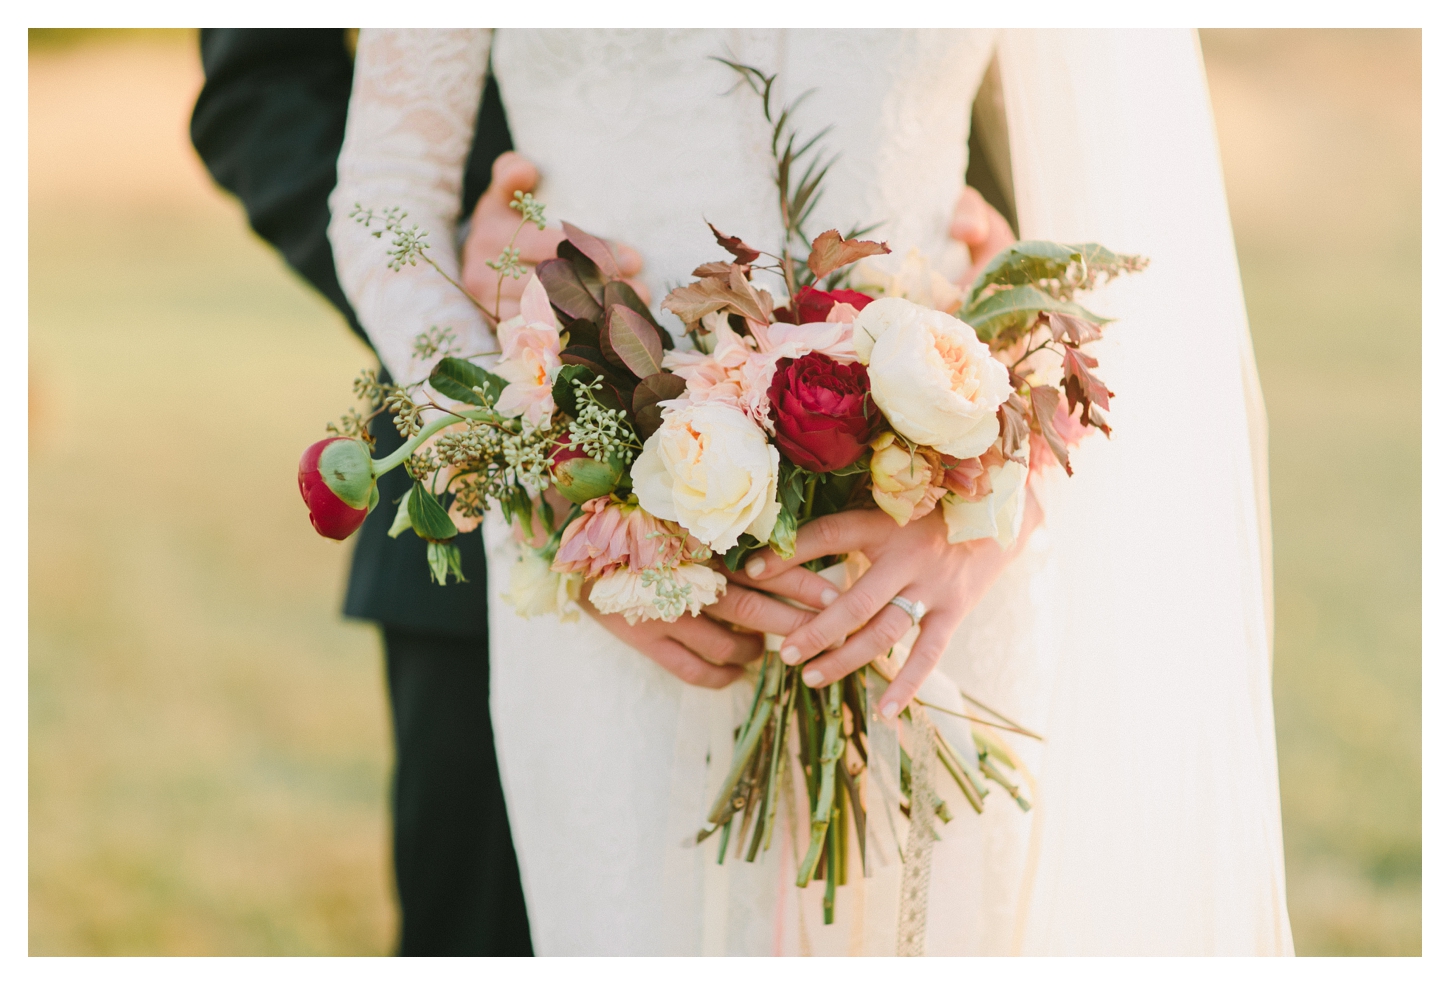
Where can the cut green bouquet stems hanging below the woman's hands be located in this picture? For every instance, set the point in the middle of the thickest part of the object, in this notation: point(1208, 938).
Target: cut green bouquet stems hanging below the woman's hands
point(832, 730)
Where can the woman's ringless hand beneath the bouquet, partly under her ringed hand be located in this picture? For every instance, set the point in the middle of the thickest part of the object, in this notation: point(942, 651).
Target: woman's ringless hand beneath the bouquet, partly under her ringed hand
point(700, 651)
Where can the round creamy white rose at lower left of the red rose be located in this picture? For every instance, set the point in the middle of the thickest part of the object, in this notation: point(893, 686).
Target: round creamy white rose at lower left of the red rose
point(711, 471)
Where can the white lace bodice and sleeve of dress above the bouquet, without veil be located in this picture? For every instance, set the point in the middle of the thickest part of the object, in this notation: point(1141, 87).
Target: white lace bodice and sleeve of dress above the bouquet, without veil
point(640, 137)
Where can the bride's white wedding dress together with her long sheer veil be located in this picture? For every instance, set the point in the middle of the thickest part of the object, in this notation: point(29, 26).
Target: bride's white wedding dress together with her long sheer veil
point(1135, 629)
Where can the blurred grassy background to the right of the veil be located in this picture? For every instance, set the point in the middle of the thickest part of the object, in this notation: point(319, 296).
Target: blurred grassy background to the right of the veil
point(1322, 147)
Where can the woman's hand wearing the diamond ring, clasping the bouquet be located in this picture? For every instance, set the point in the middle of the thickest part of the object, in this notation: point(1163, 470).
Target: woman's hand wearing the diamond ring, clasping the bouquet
point(914, 562)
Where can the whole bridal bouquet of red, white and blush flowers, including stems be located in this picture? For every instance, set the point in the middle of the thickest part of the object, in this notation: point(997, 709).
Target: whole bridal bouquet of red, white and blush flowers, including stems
point(859, 387)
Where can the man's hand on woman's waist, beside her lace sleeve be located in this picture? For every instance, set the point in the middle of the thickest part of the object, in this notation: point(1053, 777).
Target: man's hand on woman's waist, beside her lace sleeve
point(494, 226)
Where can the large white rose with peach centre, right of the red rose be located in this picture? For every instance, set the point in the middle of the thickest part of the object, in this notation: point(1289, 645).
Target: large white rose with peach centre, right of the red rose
point(933, 379)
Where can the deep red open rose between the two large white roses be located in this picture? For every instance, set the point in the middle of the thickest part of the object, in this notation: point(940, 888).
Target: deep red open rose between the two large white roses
point(823, 410)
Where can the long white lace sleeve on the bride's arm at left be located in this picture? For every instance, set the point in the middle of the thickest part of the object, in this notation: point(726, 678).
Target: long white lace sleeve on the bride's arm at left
point(415, 101)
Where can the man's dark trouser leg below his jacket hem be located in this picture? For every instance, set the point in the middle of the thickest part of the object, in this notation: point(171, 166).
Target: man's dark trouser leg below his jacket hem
point(457, 877)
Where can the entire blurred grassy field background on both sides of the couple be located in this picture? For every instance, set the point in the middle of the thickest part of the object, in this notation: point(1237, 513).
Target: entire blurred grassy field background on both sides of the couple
point(210, 741)
